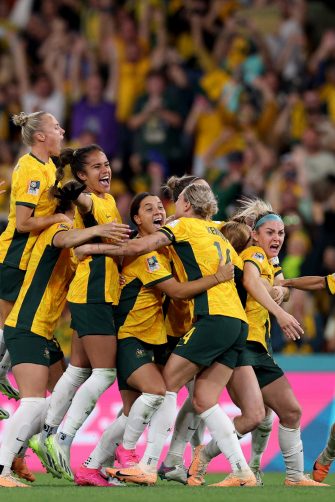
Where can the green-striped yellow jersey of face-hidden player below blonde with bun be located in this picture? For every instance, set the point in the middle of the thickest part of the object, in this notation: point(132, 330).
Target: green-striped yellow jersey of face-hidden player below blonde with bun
point(43, 293)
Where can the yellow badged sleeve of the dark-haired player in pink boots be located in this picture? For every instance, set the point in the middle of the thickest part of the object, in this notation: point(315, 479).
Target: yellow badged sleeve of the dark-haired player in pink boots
point(154, 268)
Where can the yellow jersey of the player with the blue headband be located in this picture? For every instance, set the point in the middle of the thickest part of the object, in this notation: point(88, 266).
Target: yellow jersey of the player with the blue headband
point(258, 316)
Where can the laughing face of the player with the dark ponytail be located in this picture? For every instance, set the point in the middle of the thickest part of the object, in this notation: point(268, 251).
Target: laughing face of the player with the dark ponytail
point(97, 173)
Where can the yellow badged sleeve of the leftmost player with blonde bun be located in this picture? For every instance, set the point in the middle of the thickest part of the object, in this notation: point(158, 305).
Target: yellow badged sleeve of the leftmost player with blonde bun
point(31, 186)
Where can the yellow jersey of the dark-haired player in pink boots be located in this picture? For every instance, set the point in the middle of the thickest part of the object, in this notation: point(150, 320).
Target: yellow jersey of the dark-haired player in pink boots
point(140, 313)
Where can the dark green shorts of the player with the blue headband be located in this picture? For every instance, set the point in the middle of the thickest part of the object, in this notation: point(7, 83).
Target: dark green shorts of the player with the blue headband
point(266, 370)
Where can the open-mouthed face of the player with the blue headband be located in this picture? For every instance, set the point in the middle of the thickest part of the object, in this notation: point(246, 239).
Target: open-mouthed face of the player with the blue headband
point(270, 237)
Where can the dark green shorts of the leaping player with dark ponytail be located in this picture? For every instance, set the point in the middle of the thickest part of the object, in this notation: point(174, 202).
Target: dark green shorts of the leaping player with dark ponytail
point(92, 318)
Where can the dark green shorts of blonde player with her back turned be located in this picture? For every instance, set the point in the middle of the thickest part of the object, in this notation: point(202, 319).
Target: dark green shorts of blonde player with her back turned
point(213, 338)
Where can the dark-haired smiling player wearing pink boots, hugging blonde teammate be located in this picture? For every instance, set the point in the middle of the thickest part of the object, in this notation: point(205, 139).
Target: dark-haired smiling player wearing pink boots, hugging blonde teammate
point(142, 347)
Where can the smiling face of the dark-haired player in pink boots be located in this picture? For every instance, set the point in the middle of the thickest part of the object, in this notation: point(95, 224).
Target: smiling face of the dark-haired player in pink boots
point(151, 215)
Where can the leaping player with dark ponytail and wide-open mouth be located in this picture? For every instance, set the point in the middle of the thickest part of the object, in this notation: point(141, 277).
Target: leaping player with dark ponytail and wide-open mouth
point(92, 294)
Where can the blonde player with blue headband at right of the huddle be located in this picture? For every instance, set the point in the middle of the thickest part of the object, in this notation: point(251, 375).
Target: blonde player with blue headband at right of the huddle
point(268, 236)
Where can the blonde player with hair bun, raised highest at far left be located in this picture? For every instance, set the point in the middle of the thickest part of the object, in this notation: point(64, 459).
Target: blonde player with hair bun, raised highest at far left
point(31, 211)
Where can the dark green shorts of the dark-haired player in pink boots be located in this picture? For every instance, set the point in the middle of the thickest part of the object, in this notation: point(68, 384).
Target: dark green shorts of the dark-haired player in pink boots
point(132, 353)
